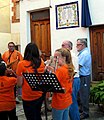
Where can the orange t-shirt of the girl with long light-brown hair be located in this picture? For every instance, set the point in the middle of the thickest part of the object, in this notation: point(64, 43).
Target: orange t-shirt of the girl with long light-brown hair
point(62, 100)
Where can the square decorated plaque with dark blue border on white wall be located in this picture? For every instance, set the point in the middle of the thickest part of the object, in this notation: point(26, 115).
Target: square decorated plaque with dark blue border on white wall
point(67, 15)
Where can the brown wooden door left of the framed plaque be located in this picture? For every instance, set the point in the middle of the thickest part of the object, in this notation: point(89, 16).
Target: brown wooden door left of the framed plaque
point(40, 32)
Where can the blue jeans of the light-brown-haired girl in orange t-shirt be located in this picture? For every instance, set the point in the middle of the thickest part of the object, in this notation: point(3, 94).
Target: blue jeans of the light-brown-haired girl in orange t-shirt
point(60, 114)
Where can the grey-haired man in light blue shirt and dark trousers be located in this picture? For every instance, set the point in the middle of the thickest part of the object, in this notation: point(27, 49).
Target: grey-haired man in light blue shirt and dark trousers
point(84, 59)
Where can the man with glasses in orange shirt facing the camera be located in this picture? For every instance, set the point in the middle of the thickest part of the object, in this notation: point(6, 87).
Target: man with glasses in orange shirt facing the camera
point(11, 57)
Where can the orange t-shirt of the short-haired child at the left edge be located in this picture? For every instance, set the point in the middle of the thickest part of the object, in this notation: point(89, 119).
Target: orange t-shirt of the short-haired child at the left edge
point(7, 98)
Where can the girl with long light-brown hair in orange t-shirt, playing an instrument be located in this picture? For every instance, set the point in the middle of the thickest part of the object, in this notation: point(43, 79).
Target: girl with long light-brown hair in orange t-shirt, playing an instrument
point(64, 72)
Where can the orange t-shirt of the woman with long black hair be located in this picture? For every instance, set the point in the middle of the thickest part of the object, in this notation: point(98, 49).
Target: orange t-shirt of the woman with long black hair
point(27, 93)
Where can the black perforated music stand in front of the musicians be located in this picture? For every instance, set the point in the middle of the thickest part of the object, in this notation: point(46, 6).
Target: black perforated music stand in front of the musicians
point(45, 82)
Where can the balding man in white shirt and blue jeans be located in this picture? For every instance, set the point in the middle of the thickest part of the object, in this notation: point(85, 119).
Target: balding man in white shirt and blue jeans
point(74, 110)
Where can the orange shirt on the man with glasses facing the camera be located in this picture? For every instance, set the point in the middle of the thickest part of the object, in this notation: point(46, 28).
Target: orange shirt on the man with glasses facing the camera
point(14, 58)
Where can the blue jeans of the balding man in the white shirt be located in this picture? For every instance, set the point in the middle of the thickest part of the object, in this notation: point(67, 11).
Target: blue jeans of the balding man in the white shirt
point(74, 110)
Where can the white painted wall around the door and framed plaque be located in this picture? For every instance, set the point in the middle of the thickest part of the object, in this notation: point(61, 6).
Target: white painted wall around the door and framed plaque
point(57, 36)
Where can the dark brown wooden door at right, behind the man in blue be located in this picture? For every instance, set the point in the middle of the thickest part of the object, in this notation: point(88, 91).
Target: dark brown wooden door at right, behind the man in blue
point(97, 51)
